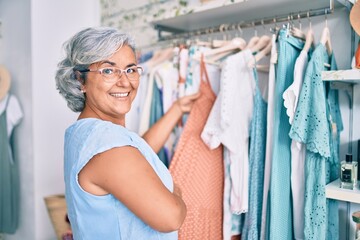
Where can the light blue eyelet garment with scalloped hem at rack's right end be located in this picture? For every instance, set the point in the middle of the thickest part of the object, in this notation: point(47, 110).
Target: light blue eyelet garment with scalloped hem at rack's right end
point(317, 105)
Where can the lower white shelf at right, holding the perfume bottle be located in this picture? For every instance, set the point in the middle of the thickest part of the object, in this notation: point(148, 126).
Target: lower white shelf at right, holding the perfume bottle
point(333, 191)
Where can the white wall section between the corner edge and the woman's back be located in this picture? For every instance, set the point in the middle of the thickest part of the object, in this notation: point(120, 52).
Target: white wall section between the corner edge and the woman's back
point(53, 22)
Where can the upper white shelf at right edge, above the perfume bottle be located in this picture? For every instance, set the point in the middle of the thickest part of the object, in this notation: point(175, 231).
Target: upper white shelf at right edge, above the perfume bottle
point(347, 76)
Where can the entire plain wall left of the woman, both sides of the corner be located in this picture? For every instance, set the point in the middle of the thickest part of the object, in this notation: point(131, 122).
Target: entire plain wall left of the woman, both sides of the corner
point(33, 33)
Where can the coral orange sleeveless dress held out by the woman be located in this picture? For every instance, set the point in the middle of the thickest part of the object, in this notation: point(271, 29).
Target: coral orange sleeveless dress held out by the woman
point(199, 172)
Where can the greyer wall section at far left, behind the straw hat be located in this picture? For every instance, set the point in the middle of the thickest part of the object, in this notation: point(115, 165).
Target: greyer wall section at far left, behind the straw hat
point(15, 54)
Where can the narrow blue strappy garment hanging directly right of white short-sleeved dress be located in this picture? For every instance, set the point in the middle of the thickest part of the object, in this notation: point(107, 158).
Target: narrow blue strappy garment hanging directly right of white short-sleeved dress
point(252, 224)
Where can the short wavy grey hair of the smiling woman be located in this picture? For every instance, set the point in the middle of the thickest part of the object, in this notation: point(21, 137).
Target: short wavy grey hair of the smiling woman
point(86, 47)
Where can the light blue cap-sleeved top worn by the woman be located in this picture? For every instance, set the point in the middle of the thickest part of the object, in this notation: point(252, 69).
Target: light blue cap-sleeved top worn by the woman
point(105, 217)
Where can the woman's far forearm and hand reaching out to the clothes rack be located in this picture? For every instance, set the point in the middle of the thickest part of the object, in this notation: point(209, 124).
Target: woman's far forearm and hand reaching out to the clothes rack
point(158, 133)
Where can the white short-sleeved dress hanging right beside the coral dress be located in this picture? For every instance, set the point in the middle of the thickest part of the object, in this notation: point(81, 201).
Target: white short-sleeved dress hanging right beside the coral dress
point(229, 124)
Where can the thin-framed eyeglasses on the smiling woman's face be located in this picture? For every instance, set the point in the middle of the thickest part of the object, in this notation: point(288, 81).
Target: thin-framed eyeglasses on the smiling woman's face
point(113, 74)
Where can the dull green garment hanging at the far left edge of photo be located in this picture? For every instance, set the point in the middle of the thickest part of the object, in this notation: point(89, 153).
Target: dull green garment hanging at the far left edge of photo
point(9, 181)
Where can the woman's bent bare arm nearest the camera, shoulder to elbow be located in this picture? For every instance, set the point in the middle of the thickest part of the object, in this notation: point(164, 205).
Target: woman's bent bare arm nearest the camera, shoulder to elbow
point(127, 175)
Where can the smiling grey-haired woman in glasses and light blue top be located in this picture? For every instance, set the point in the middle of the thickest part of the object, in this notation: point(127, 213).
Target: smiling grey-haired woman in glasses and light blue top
point(116, 186)
